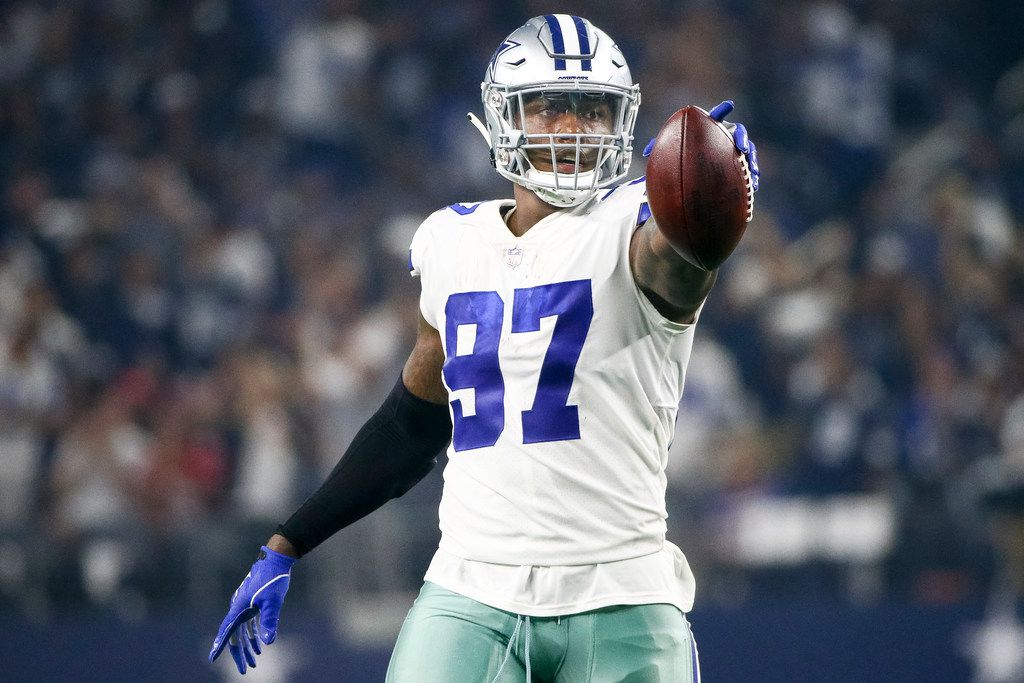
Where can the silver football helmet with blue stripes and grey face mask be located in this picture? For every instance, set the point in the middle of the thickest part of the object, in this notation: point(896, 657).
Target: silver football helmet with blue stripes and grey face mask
point(569, 60)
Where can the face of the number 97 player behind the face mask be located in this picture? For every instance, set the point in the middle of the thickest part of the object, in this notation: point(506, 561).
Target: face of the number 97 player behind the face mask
point(568, 114)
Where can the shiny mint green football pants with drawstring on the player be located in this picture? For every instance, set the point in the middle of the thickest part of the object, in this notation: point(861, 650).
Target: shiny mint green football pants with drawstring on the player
point(449, 638)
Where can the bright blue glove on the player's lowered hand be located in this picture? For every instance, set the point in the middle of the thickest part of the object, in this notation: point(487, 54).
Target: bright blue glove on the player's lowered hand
point(255, 610)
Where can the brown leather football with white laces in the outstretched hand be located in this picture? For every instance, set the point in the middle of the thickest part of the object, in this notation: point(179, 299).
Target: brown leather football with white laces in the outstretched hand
point(699, 188)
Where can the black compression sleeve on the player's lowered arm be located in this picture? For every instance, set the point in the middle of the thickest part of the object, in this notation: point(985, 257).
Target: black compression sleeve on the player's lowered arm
point(395, 450)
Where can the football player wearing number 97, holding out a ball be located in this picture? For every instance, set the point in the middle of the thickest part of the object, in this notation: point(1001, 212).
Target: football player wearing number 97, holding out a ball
point(553, 341)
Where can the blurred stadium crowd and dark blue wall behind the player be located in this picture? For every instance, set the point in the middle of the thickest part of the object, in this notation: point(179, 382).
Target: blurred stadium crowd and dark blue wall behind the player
point(204, 219)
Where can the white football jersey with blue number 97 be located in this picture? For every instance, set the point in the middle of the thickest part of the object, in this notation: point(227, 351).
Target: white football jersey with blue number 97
point(564, 382)
